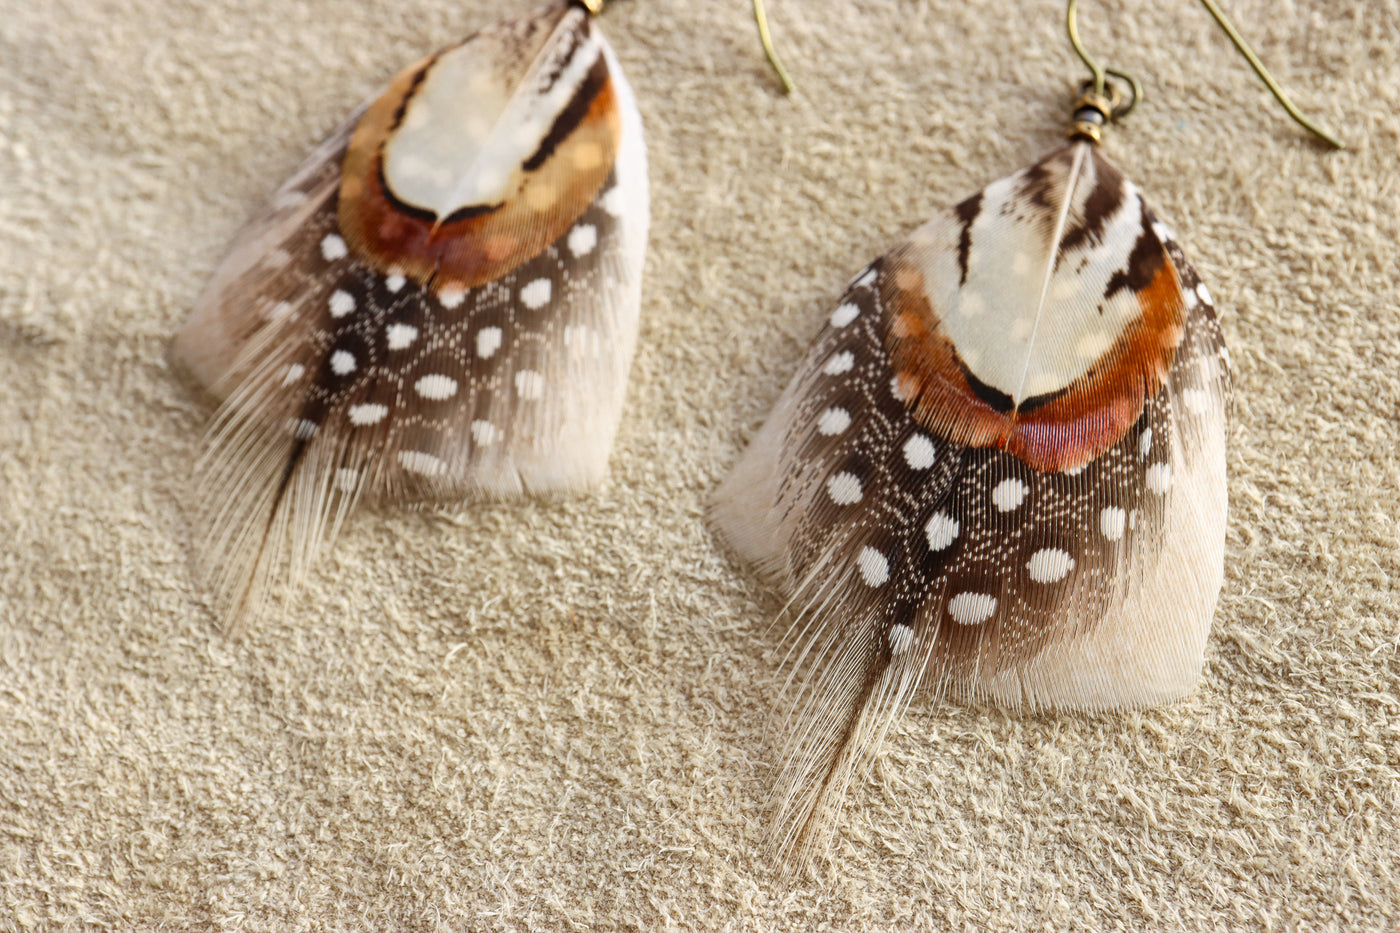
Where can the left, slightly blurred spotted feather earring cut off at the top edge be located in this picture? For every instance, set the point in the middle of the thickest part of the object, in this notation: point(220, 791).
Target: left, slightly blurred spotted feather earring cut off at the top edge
point(474, 347)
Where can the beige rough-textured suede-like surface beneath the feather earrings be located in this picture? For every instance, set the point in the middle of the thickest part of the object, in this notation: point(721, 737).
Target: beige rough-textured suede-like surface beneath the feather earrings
point(552, 717)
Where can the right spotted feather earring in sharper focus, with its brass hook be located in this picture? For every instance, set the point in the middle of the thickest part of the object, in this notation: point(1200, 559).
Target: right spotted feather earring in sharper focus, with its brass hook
point(999, 474)
